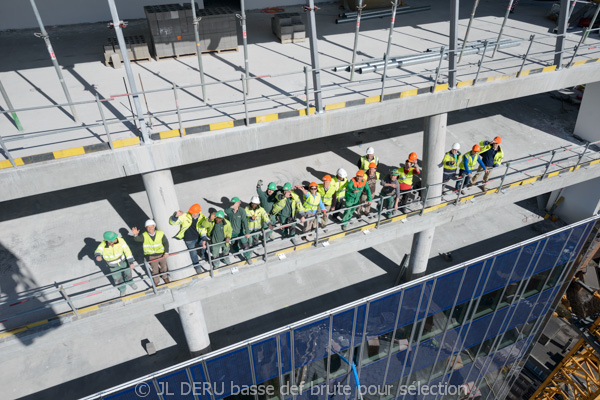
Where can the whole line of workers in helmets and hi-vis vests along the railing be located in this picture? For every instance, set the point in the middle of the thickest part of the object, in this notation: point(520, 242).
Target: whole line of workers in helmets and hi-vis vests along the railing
point(240, 228)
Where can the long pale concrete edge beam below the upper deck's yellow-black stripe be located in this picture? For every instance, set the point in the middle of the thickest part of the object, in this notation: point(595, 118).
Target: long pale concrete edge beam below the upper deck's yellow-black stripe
point(102, 166)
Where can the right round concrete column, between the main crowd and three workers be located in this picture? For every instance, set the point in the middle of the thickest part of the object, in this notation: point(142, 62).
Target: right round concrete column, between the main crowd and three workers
point(434, 143)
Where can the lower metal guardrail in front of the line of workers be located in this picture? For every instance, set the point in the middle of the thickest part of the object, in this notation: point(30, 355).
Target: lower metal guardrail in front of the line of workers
point(545, 161)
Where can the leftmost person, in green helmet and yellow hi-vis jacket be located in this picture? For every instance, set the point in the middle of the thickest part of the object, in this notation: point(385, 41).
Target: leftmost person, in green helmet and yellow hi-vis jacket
point(117, 255)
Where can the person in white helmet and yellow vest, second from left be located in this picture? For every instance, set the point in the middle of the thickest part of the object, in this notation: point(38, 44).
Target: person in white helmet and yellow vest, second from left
point(156, 246)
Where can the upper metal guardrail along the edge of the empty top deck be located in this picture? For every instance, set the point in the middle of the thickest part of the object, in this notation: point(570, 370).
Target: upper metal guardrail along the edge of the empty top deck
point(545, 58)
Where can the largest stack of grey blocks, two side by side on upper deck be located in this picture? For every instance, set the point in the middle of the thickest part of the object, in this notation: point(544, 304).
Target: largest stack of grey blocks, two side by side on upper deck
point(172, 29)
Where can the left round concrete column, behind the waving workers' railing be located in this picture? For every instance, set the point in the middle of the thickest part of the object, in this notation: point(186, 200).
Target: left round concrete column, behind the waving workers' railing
point(163, 202)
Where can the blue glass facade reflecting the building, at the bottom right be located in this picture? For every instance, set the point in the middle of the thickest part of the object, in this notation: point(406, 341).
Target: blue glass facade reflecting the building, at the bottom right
point(465, 326)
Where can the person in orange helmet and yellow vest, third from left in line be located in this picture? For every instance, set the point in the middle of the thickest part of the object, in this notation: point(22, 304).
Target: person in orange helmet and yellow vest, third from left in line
point(192, 237)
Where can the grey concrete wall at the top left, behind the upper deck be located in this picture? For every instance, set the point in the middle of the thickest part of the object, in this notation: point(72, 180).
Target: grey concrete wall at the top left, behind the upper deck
point(17, 14)
